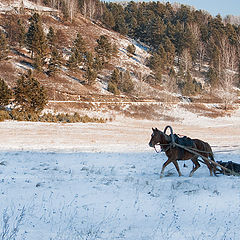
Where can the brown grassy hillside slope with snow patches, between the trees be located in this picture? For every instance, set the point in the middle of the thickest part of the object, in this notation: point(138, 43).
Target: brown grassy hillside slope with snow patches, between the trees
point(69, 91)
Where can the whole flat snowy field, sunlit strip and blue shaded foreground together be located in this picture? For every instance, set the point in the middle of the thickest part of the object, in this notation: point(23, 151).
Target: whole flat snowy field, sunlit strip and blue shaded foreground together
point(101, 181)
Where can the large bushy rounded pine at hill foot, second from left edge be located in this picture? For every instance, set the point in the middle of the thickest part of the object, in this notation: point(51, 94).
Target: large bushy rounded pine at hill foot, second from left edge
point(30, 96)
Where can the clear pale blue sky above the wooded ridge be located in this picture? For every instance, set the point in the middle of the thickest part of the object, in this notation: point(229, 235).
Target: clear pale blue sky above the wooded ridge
point(224, 7)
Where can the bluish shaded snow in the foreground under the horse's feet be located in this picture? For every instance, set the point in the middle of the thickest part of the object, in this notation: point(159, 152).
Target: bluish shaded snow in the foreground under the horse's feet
point(104, 195)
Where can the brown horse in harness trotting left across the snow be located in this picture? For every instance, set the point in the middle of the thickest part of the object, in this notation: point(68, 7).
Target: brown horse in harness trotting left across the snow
point(173, 153)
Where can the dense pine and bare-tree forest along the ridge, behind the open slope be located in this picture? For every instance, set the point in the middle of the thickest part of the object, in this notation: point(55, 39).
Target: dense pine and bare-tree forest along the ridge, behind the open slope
point(178, 35)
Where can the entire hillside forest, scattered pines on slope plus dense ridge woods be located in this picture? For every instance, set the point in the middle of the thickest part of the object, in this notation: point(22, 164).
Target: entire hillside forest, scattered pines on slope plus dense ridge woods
point(184, 44)
